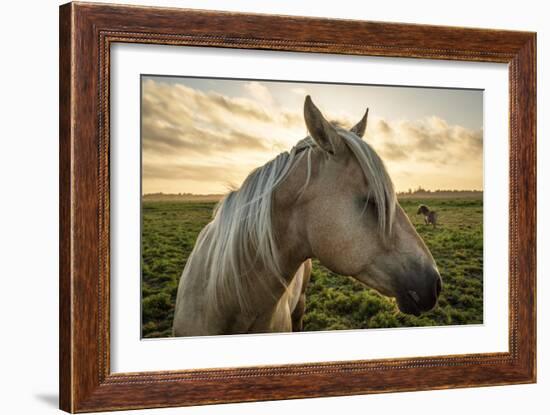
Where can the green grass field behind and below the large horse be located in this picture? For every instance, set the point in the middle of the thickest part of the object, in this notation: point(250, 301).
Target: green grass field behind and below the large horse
point(333, 302)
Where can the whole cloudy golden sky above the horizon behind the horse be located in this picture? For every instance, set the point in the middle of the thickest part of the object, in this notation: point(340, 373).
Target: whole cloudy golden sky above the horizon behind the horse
point(204, 135)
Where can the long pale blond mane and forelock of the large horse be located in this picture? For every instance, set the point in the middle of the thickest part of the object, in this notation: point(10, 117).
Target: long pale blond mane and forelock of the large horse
point(240, 235)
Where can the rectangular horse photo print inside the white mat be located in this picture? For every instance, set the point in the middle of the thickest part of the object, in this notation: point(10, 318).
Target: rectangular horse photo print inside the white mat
point(279, 206)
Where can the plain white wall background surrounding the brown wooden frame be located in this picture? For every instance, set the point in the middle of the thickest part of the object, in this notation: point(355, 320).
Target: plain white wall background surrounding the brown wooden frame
point(29, 206)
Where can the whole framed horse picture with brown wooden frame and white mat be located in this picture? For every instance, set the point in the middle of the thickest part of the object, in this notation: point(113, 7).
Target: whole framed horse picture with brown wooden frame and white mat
point(258, 207)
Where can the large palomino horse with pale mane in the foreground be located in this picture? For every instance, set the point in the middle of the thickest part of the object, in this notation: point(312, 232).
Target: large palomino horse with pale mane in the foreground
point(330, 197)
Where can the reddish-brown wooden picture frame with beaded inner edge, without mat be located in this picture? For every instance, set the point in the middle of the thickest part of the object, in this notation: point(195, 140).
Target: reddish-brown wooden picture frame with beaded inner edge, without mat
point(86, 33)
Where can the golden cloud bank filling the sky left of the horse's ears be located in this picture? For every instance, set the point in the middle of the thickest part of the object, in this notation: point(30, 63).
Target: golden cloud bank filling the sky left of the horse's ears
point(182, 127)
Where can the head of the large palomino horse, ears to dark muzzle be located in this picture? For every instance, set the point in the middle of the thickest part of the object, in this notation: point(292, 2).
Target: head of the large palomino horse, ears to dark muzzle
point(350, 219)
